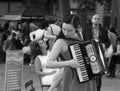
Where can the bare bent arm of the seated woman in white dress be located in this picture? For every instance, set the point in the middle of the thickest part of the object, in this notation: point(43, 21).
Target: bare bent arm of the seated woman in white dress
point(38, 68)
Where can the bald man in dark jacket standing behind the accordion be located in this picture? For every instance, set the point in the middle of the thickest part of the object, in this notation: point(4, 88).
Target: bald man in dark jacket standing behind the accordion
point(96, 31)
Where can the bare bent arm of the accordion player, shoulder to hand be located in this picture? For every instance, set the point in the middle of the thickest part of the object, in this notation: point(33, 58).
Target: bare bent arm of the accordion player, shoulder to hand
point(59, 47)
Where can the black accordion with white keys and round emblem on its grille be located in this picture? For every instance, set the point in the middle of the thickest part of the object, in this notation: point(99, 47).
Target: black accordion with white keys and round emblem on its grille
point(91, 57)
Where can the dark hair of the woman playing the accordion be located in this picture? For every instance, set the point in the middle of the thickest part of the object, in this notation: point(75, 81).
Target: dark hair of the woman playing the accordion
point(70, 19)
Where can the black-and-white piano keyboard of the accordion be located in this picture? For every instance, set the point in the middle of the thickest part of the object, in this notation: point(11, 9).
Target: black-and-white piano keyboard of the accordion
point(82, 72)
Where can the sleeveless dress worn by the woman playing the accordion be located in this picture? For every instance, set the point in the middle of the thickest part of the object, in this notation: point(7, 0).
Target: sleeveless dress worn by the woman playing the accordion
point(70, 81)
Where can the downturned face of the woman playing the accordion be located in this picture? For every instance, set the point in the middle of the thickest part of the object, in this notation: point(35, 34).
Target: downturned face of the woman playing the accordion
point(68, 30)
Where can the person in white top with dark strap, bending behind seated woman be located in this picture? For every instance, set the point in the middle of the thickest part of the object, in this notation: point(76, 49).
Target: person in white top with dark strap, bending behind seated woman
point(47, 32)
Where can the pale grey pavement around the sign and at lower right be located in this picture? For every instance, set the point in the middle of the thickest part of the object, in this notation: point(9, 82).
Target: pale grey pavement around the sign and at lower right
point(108, 84)
